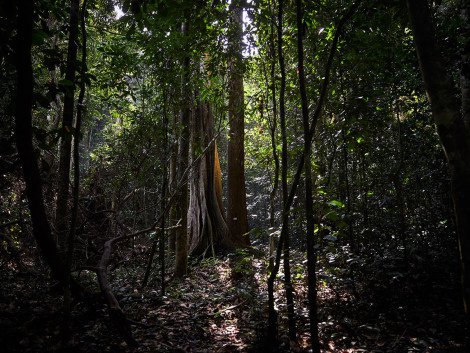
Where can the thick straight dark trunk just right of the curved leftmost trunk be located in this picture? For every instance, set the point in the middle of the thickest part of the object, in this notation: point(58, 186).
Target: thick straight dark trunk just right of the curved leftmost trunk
point(62, 209)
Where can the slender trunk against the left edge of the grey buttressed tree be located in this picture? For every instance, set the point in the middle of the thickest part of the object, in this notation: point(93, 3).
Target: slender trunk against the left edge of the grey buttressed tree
point(181, 248)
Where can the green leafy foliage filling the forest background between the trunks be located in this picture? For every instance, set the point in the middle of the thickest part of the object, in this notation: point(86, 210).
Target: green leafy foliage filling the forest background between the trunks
point(381, 188)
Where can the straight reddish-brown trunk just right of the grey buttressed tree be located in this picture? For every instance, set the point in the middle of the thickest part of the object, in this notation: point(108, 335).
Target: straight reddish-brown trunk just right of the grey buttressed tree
point(236, 192)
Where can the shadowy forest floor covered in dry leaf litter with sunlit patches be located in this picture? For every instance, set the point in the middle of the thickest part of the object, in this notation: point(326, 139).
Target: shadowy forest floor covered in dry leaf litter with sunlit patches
point(221, 306)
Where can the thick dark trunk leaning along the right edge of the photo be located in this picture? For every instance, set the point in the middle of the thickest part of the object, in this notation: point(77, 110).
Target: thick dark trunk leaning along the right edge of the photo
point(453, 133)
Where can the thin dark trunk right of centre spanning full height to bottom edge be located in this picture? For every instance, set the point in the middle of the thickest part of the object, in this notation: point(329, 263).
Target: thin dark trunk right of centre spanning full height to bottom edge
point(311, 253)
